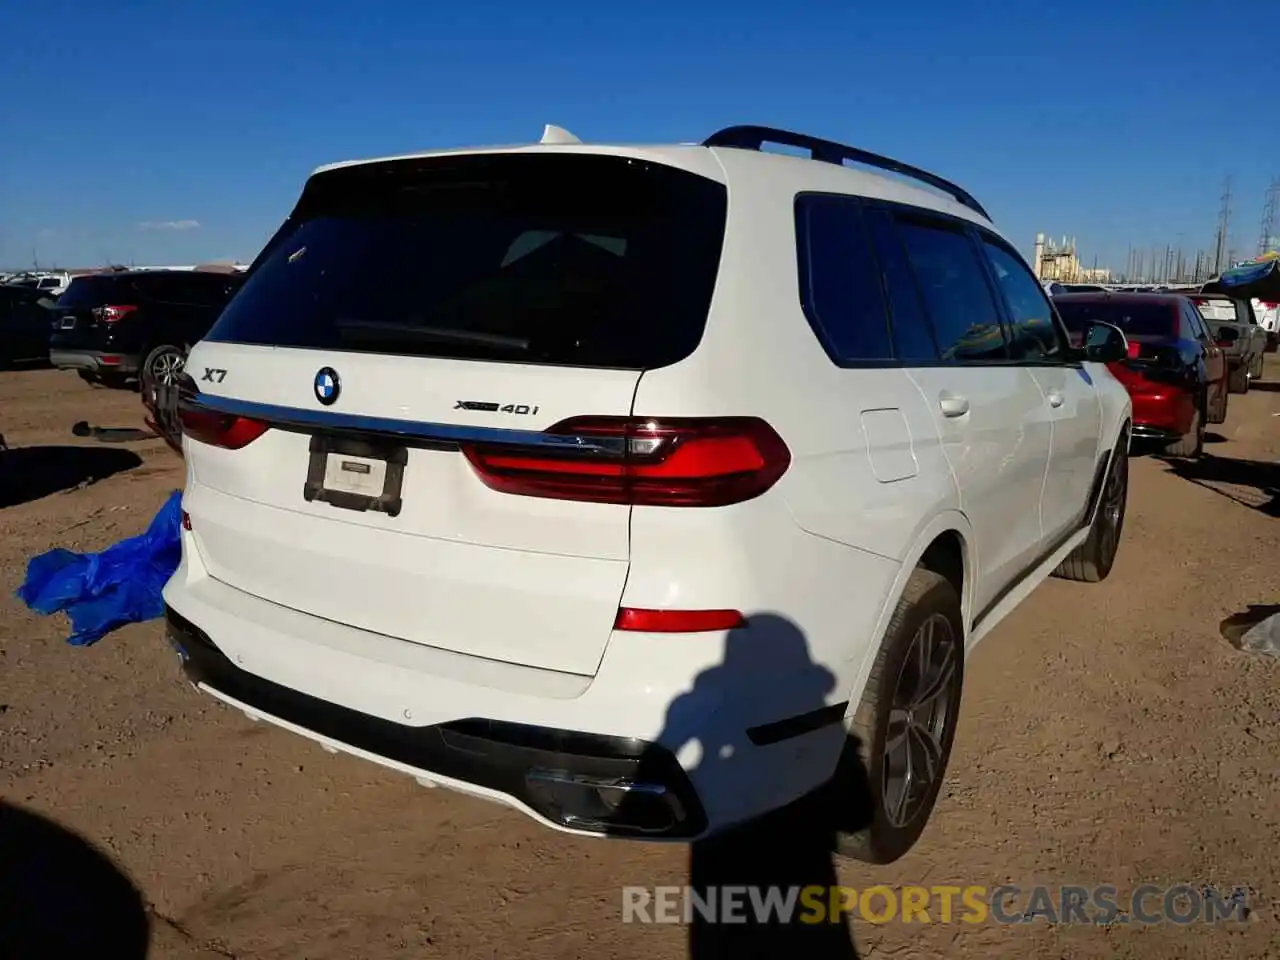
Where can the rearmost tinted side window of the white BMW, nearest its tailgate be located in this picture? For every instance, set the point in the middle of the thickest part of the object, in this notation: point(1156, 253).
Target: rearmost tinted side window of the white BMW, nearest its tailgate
point(839, 280)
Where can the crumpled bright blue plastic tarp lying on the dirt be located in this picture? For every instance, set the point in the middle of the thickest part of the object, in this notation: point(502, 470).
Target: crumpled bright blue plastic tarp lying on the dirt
point(100, 592)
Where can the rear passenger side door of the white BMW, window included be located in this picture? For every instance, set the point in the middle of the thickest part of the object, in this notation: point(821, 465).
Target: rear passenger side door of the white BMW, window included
point(990, 413)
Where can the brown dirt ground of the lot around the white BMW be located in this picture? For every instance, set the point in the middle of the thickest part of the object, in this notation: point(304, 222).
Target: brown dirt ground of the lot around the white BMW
point(1109, 735)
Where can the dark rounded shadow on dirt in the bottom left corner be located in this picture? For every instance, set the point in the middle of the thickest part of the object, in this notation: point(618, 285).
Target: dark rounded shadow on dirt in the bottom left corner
point(61, 898)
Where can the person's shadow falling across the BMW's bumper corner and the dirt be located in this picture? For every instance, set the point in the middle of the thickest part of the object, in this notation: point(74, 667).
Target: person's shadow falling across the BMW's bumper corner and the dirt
point(793, 848)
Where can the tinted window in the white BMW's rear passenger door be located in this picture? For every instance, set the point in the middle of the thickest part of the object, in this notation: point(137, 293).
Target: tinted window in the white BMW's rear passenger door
point(954, 286)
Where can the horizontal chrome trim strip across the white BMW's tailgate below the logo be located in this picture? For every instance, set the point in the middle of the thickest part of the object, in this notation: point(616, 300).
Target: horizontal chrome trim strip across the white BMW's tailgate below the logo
point(301, 420)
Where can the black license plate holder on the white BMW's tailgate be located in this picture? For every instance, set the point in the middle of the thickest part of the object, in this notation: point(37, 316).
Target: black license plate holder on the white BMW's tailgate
point(356, 474)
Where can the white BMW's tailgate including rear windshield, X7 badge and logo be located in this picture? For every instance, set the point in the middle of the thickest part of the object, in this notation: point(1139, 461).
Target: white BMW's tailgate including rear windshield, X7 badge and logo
point(533, 290)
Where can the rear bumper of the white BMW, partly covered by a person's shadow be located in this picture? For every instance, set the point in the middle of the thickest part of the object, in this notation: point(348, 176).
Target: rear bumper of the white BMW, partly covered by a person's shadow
point(694, 747)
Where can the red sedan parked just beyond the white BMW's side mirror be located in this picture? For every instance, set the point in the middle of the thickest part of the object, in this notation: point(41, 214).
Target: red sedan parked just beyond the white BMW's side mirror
point(1176, 374)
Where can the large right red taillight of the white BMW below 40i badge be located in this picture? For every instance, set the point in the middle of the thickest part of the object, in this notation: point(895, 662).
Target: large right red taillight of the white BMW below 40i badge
point(676, 463)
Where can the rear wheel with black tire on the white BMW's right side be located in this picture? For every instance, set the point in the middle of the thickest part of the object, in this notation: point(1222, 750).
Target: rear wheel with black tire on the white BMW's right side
point(929, 602)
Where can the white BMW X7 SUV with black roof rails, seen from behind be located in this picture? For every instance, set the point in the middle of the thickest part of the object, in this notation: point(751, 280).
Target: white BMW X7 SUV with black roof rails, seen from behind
point(674, 481)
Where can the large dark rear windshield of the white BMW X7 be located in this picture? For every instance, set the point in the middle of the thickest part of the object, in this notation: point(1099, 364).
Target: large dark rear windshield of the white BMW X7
point(569, 260)
